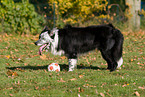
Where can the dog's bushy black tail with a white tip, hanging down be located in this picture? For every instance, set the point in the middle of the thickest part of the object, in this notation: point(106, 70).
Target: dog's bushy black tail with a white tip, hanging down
point(118, 47)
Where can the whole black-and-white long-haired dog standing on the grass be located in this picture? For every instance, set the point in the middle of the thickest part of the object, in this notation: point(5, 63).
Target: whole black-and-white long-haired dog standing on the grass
point(73, 41)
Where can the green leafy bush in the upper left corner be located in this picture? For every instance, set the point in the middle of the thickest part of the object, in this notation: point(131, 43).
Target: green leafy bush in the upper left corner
point(19, 17)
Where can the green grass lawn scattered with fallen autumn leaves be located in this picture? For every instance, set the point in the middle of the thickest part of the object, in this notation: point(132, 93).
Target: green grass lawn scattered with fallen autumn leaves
point(24, 73)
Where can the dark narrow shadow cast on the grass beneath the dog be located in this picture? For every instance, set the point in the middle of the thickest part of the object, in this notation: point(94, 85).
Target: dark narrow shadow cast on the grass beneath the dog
point(62, 66)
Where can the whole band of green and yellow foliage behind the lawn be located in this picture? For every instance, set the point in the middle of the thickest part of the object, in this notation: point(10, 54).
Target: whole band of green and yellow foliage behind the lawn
point(24, 16)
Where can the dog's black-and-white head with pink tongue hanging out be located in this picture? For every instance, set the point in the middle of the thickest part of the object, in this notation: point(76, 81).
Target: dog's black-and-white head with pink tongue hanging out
point(45, 39)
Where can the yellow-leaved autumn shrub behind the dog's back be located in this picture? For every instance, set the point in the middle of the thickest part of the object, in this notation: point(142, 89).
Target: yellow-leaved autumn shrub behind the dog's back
point(78, 11)
